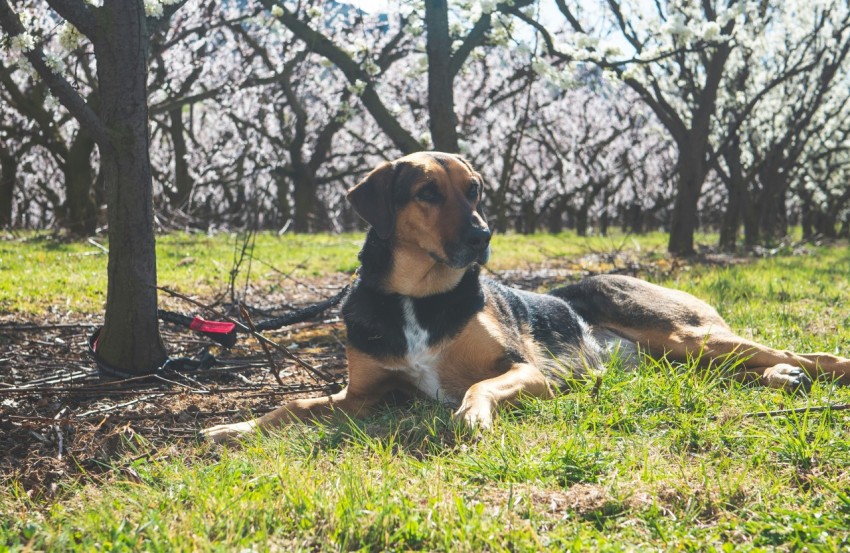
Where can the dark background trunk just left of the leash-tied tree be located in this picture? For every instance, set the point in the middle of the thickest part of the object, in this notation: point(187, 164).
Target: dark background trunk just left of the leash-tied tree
point(80, 206)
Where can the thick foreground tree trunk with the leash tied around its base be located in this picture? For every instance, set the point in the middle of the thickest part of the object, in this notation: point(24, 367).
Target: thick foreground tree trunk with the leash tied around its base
point(130, 339)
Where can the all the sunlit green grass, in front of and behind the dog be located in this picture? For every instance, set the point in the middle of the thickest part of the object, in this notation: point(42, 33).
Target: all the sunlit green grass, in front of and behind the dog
point(660, 459)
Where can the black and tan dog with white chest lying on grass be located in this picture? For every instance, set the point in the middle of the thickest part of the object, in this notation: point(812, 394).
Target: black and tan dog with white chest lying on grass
point(420, 318)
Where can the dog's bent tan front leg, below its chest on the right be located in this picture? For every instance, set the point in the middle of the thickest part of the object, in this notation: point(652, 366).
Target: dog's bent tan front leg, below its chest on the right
point(482, 398)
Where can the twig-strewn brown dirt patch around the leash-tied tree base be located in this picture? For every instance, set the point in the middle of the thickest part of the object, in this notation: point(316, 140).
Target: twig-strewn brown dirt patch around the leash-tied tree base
point(60, 419)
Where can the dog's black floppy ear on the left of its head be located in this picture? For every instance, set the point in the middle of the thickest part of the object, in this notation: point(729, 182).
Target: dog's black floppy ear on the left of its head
point(372, 199)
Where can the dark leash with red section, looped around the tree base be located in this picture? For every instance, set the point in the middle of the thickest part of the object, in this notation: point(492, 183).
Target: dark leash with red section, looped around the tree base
point(222, 332)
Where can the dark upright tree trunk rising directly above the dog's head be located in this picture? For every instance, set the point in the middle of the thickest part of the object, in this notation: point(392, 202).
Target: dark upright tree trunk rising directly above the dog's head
point(441, 109)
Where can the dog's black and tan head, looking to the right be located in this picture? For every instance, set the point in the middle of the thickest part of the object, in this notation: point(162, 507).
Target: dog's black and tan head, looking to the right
point(430, 201)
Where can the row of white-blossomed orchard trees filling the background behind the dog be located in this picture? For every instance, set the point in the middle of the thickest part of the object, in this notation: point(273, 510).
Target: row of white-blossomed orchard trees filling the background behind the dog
point(732, 115)
